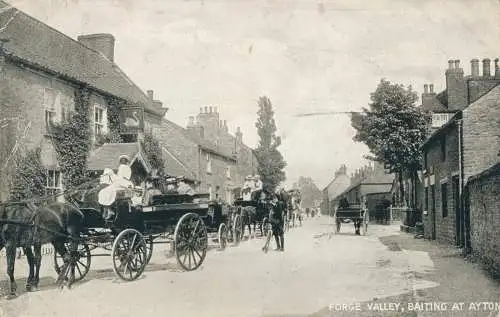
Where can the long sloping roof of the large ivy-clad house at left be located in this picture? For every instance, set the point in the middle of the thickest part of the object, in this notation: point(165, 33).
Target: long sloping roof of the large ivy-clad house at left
point(41, 46)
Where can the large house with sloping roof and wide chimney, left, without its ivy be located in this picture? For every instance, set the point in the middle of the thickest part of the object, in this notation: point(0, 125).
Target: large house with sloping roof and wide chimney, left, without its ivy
point(41, 71)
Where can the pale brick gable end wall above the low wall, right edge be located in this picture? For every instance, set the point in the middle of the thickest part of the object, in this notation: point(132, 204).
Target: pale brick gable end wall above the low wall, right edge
point(481, 133)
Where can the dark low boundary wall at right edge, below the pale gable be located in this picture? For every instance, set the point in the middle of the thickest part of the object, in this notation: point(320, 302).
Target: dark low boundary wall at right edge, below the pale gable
point(484, 209)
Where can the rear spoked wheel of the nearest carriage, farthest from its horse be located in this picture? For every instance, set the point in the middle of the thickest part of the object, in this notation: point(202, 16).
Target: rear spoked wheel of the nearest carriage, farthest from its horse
point(190, 241)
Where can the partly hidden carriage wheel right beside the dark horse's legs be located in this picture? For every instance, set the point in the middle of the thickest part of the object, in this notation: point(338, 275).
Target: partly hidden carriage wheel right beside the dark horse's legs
point(79, 261)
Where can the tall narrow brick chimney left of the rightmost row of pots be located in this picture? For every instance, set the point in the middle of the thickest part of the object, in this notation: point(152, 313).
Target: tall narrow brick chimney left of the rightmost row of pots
point(456, 88)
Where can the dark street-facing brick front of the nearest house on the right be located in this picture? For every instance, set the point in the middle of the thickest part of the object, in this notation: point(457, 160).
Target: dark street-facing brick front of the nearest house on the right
point(442, 172)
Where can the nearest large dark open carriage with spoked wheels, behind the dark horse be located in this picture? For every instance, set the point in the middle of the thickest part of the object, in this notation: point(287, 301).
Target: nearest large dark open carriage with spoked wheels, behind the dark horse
point(183, 221)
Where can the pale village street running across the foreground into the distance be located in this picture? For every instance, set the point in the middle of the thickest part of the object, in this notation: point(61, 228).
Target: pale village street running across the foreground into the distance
point(317, 271)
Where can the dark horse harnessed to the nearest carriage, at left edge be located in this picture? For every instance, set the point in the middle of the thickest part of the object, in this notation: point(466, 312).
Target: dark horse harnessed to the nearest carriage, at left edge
point(23, 224)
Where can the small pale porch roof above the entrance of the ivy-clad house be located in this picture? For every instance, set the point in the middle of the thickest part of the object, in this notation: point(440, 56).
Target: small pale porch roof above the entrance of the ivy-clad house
point(107, 155)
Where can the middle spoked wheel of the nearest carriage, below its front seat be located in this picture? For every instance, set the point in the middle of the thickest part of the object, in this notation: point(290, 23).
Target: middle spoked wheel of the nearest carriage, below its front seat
point(129, 253)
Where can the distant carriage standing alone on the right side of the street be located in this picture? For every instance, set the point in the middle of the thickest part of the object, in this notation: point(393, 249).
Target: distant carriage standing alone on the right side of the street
point(357, 213)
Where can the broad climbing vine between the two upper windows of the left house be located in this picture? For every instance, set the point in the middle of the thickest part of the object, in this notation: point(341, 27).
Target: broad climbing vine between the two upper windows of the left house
point(72, 140)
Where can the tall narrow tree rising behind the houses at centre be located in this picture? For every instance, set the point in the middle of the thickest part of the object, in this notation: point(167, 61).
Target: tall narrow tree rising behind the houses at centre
point(271, 162)
